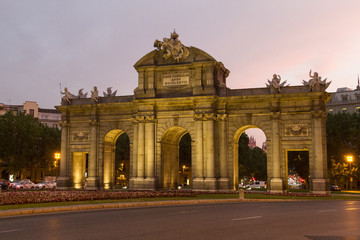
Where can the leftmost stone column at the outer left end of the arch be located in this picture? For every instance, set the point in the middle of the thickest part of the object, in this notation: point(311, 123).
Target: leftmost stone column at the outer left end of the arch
point(63, 179)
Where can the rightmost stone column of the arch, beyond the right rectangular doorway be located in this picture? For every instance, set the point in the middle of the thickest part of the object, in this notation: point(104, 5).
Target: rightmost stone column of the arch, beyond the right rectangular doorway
point(319, 184)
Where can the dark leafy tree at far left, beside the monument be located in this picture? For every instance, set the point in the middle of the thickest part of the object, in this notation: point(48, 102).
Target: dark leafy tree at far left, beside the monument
point(26, 143)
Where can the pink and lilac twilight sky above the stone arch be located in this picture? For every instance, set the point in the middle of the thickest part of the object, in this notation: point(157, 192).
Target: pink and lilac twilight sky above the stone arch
point(86, 43)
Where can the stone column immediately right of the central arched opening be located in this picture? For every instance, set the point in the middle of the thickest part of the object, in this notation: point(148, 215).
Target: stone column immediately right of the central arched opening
point(198, 163)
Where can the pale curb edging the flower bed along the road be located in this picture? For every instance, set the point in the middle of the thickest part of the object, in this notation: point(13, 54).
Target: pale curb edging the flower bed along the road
point(30, 211)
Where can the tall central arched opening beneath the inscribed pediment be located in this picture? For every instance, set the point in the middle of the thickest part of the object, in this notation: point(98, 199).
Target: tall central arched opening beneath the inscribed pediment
point(176, 159)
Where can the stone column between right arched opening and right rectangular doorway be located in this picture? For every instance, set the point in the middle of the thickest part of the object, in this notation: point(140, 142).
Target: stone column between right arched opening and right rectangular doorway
point(276, 183)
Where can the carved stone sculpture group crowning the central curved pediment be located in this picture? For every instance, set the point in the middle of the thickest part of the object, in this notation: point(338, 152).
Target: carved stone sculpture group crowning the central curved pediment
point(172, 47)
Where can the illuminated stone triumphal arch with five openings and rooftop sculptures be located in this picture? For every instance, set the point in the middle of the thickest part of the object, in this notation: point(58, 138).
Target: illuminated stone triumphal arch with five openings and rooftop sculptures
point(182, 90)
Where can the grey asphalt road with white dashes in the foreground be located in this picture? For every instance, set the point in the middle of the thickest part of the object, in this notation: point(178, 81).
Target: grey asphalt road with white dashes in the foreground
point(318, 220)
